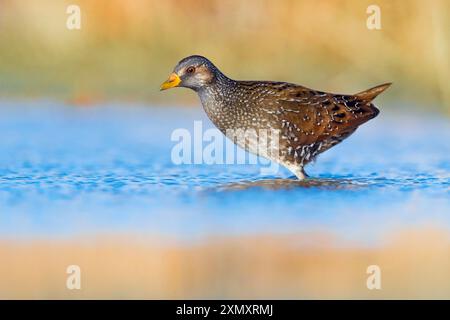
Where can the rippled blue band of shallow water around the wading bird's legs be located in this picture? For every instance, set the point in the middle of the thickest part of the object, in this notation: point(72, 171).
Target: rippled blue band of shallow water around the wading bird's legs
point(68, 171)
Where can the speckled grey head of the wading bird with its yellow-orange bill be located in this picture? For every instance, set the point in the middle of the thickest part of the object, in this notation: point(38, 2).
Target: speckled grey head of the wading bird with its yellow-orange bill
point(192, 72)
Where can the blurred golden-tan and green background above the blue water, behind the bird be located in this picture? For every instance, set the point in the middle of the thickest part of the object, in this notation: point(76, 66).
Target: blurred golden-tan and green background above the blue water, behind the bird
point(125, 49)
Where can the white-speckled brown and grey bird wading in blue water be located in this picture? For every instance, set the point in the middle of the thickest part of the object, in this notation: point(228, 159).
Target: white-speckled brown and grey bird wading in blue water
point(307, 122)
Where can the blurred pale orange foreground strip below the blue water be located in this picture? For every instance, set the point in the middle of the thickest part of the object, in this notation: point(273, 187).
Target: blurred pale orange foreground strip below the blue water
point(414, 264)
